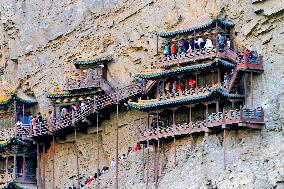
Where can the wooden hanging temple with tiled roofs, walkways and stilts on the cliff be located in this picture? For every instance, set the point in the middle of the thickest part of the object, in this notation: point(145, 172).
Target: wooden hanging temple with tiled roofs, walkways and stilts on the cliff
point(199, 92)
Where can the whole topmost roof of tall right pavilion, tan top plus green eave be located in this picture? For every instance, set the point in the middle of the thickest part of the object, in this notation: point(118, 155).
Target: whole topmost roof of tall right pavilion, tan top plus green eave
point(201, 24)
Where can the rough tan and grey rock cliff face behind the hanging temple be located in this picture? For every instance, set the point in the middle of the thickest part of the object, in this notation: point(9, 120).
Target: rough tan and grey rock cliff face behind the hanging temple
point(39, 40)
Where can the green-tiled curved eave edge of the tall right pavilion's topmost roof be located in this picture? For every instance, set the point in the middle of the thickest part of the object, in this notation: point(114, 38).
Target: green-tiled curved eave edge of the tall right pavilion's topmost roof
point(208, 25)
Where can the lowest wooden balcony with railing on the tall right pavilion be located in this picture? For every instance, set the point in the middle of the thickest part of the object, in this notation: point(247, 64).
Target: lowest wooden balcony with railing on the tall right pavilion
point(248, 118)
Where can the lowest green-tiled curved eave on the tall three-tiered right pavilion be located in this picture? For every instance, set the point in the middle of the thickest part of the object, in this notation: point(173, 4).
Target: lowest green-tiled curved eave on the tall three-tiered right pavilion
point(183, 101)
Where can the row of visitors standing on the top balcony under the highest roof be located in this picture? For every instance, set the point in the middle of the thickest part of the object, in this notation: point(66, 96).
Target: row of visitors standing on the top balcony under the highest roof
point(188, 46)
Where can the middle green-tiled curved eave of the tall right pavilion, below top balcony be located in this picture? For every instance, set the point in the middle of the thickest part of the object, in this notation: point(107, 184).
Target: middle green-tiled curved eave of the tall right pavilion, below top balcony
point(186, 69)
